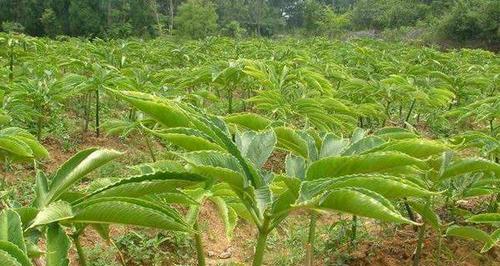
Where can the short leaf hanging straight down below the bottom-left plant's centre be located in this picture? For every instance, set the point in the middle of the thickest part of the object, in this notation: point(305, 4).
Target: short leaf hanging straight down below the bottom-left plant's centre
point(58, 245)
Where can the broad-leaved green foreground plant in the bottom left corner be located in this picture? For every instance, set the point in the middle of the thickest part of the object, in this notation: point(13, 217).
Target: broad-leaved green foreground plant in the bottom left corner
point(123, 201)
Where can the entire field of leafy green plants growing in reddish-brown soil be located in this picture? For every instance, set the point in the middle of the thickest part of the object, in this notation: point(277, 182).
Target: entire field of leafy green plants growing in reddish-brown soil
point(247, 152)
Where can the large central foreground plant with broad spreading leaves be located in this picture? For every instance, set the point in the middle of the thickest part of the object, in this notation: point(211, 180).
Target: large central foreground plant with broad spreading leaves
point(239, 164)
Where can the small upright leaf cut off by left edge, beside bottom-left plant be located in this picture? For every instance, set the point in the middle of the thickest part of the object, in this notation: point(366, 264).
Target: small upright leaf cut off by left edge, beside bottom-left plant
point(11, 229)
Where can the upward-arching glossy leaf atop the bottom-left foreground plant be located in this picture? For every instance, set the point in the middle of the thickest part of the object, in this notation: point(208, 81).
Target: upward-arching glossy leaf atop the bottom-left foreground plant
point(76, 168)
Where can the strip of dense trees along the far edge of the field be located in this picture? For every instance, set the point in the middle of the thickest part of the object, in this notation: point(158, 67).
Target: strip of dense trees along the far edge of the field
point(459, 20)
